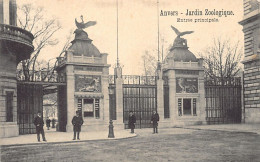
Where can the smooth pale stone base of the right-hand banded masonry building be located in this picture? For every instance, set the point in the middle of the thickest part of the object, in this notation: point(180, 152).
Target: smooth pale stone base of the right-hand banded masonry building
point(252, 116)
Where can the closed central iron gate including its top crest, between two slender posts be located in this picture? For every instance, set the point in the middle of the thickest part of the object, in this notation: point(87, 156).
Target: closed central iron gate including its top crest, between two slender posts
point(139, 96)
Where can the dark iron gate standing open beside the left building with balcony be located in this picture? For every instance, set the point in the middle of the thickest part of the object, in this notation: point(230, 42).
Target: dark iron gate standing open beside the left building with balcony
point(30, 92)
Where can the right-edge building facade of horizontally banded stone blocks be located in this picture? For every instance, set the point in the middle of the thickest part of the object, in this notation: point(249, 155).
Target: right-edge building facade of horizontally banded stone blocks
point(251, 29)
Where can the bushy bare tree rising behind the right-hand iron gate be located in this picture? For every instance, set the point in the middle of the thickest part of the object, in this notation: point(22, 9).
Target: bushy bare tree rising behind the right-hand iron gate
point(222, 59)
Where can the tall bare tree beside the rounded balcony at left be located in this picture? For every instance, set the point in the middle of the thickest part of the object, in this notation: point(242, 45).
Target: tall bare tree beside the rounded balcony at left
point(33, 20)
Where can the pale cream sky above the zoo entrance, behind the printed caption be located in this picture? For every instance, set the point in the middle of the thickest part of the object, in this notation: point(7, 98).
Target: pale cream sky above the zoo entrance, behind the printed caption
point(138, 27)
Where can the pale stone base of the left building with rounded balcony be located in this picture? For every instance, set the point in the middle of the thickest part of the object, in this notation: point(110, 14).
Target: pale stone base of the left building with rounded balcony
point(9, 130)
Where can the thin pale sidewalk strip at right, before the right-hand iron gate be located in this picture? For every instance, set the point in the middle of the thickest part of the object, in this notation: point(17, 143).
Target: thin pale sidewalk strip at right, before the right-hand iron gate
point(252, 128)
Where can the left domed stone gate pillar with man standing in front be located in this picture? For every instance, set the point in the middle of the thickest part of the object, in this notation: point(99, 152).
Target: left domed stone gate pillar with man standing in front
point(87, 73)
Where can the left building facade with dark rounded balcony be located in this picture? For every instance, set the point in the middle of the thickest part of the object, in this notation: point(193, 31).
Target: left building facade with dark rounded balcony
point(15, 45)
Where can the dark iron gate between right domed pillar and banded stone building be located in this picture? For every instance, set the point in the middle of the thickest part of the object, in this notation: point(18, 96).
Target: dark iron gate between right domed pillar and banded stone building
point(223, 101)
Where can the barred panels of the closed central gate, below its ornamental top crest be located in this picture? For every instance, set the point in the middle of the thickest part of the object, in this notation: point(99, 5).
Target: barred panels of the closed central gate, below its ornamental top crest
point(142, 100)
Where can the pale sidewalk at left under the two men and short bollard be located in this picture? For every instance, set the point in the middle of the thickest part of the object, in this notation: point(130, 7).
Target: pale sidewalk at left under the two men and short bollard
point(64, 137)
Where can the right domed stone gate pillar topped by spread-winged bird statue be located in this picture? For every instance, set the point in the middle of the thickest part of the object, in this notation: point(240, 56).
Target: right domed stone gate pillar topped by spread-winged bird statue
point(186, 84)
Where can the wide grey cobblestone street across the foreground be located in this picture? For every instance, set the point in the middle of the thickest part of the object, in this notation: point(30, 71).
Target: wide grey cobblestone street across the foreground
point(169, 145)
